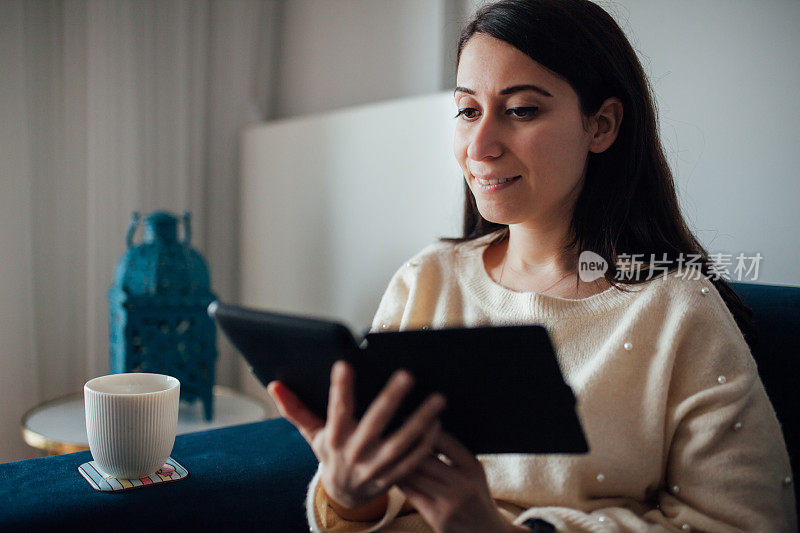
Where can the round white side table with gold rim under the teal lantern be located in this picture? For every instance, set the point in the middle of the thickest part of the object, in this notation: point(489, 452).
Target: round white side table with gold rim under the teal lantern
point(59, 426)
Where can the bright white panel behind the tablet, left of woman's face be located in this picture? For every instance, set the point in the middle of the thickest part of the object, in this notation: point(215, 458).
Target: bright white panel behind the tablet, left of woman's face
point(333, 204)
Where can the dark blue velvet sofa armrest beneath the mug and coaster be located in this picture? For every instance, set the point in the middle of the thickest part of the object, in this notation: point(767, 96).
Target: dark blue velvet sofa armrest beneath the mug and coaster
point(248, 477)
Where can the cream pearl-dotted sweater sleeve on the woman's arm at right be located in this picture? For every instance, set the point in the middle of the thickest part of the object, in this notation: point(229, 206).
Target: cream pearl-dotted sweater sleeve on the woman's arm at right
point(726, 465)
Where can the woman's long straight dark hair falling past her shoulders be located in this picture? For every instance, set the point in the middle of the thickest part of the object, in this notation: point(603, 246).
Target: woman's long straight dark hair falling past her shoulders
point(628, 203)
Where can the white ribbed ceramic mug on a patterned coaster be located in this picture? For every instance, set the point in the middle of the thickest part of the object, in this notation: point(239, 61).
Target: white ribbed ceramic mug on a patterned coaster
point(131, 421)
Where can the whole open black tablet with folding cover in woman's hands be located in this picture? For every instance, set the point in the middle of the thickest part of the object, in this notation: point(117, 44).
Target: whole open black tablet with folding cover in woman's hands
point(504, 389)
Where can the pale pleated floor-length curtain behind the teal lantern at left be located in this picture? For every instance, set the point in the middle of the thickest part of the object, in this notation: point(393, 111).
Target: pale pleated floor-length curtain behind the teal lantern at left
point(107, 107)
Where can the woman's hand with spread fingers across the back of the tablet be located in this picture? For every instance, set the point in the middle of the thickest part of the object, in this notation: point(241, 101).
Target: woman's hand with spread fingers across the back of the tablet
point(357, 463)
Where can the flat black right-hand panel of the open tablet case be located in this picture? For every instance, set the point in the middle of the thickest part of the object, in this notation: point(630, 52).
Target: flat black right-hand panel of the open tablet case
point(497, 381)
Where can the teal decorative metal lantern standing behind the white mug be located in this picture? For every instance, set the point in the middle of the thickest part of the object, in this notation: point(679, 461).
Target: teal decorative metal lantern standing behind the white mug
point(157, 309)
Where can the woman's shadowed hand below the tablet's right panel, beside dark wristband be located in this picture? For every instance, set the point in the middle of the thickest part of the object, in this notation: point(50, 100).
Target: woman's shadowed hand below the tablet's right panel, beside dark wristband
point(451, 493)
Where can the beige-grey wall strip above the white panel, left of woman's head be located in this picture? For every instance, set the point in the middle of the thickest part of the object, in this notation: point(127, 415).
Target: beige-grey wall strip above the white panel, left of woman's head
point(339, 53)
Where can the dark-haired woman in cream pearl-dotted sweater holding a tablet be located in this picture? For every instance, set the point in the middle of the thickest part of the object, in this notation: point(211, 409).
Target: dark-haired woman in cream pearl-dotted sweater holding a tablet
point(558, 144)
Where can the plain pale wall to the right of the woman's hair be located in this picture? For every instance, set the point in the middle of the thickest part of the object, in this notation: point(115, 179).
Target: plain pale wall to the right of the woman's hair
point(726, 75)
